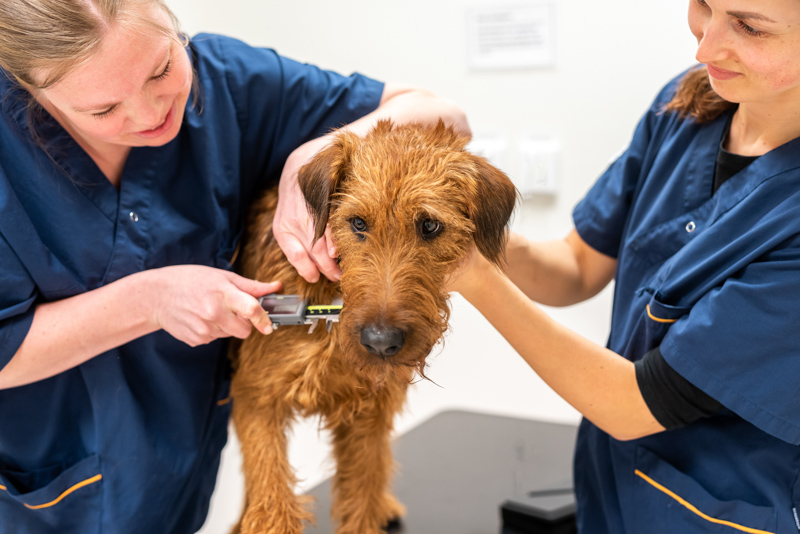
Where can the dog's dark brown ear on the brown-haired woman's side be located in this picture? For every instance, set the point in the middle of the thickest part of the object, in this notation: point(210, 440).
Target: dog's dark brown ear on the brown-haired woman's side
point(491, 210)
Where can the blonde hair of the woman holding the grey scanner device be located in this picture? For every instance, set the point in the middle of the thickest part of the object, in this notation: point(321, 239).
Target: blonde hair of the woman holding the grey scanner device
point(52, 37)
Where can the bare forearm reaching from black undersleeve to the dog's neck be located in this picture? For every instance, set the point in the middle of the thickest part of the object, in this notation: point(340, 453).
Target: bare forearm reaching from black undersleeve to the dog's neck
point(596, 381)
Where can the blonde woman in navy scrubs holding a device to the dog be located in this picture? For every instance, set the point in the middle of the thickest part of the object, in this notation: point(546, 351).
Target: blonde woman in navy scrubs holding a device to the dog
point(128, 156)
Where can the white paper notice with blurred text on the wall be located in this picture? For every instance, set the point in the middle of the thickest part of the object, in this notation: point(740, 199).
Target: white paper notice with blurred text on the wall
point(511, 36)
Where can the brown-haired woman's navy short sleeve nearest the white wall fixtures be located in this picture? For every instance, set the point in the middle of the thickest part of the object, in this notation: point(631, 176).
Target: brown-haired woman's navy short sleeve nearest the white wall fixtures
point(601, 215)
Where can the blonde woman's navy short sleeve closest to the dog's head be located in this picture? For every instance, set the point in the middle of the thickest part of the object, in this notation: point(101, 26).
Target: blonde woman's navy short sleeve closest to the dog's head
point(282, 103)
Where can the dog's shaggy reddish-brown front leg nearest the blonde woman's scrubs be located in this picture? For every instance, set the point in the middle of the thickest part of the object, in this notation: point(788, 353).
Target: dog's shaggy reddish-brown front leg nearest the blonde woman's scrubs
point(271, 504)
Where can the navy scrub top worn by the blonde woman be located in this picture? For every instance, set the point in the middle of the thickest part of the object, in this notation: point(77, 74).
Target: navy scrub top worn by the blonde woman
point(130, 440)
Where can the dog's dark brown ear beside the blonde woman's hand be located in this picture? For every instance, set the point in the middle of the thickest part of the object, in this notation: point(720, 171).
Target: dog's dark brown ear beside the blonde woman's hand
point(320, 178)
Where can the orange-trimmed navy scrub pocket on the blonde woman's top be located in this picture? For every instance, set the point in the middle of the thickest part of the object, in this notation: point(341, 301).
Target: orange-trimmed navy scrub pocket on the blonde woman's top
point(70, 503)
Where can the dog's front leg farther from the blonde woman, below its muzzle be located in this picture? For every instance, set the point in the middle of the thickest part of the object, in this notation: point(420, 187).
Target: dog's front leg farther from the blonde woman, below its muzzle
point(362, 502)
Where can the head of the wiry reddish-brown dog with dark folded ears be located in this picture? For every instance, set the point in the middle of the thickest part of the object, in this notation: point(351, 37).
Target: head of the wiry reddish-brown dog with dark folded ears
point(405, 205)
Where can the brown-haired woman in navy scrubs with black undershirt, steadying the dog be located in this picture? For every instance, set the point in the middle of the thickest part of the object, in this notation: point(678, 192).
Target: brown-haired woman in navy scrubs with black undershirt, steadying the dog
point(692, 410)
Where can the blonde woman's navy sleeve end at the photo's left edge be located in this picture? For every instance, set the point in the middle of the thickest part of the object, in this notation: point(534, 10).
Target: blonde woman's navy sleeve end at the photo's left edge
point(17, 296)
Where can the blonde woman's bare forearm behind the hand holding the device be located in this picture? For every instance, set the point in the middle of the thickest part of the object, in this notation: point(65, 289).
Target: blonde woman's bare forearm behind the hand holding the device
point(69, 332)
